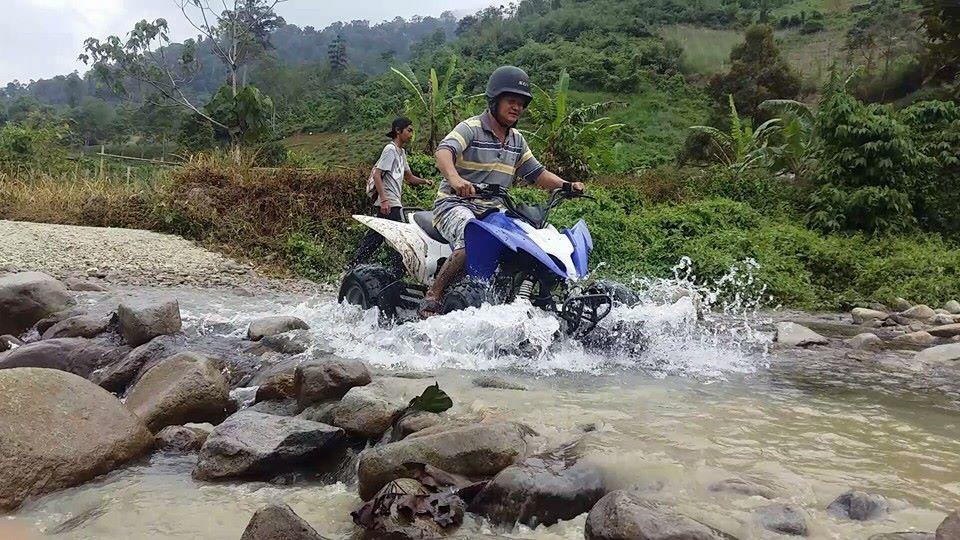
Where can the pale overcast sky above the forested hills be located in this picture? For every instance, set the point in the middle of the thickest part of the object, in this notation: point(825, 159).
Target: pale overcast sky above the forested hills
point(42, 38)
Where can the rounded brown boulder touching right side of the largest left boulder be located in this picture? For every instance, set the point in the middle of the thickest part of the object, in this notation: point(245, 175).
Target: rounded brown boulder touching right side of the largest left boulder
point(184, 388)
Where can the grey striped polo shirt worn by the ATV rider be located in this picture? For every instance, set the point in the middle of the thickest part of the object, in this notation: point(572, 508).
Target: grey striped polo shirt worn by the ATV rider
point(481, 158)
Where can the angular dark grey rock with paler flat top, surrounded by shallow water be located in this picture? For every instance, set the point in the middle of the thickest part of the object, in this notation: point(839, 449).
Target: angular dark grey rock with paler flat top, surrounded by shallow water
point(252, 444)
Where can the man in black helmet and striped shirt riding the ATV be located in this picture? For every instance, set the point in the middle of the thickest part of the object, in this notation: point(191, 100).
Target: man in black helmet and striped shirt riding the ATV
point(484, 150)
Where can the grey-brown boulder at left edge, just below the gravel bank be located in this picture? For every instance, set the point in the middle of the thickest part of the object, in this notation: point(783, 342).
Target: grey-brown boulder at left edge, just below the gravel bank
point(27, 297)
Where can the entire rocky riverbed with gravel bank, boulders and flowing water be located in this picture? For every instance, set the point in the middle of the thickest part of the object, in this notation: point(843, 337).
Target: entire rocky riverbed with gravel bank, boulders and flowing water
point(136, 407)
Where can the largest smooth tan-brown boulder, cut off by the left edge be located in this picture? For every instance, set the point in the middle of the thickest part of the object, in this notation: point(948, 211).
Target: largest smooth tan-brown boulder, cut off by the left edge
point(58, 430)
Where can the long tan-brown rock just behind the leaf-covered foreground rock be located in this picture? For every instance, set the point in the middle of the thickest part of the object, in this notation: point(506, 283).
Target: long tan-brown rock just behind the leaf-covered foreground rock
point(476, 450)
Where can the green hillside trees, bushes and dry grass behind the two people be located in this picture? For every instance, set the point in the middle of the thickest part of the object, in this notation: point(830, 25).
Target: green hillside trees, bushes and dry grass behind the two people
point(836, 185)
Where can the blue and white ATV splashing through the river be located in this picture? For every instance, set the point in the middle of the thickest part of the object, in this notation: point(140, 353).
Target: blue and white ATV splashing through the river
point(512, 253)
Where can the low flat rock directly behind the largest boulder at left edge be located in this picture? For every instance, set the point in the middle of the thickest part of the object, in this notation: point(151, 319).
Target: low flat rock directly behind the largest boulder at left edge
point(75, 355)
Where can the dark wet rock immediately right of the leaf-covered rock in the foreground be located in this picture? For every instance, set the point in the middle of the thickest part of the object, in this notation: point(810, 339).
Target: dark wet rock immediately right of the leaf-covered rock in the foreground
point(542, 489)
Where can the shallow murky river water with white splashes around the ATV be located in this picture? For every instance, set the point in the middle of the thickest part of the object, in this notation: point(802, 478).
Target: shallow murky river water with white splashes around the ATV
point(703, 403)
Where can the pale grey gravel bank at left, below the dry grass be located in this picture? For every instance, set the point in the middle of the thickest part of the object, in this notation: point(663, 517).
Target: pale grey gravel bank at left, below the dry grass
point(127, 257)
